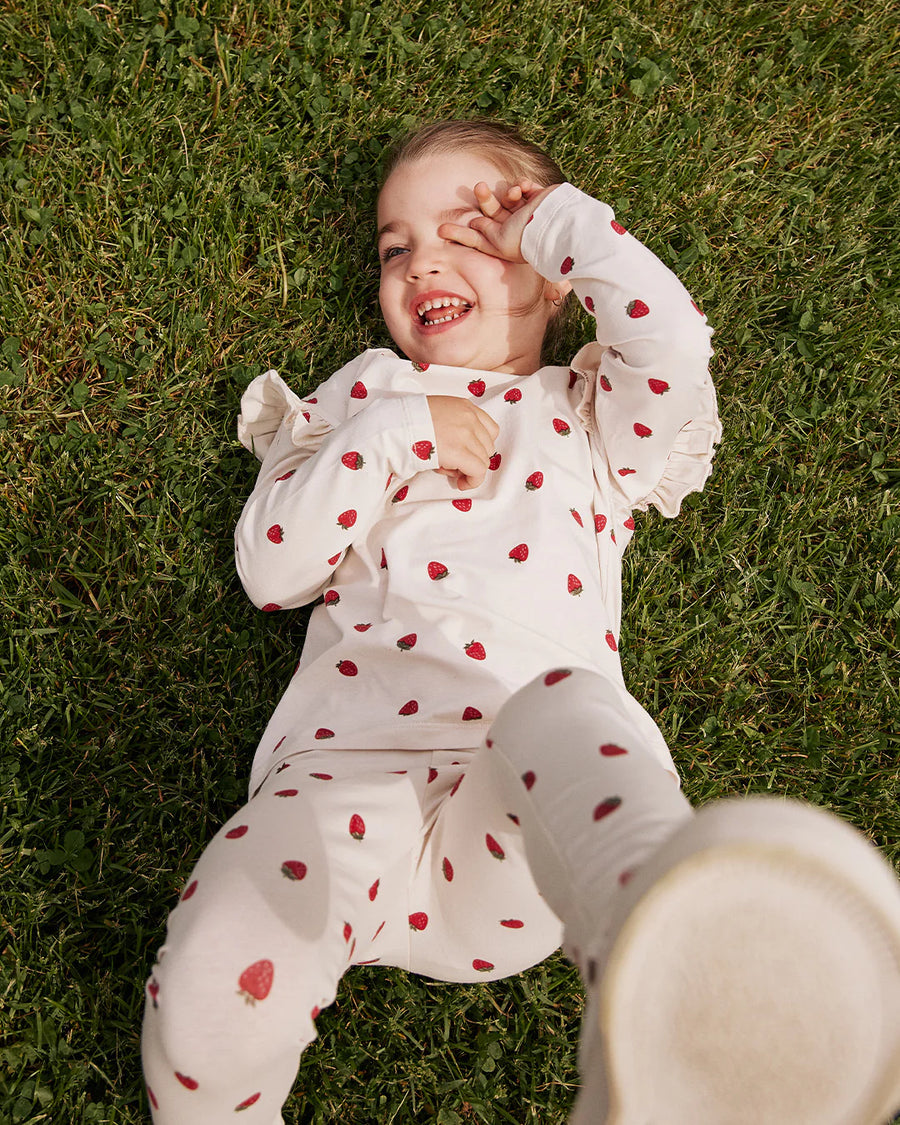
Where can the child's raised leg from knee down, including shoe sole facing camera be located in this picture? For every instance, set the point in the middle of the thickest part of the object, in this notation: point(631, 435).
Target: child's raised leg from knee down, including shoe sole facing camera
point(742, 965)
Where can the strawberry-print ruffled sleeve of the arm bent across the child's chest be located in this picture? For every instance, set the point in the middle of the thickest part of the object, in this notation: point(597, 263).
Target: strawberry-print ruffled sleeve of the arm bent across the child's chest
point(323, 479)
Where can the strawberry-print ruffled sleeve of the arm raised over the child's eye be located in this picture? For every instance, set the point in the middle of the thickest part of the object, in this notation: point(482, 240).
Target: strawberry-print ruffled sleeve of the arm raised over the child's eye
point(653, 411)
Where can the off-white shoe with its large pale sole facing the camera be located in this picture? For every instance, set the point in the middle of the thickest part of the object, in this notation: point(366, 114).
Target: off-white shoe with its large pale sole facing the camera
point(754, 979)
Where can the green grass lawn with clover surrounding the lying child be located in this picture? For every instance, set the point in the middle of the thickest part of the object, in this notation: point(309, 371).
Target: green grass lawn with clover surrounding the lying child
point(185, 201)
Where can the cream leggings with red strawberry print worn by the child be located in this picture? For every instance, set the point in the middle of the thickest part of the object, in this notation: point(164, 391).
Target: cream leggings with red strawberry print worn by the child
point(461, 866)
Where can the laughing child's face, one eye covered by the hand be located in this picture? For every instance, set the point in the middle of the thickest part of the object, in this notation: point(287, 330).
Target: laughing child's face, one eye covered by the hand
point(445, 303)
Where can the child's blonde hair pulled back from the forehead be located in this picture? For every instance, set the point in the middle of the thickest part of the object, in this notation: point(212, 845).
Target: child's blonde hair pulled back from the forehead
point(515, 157)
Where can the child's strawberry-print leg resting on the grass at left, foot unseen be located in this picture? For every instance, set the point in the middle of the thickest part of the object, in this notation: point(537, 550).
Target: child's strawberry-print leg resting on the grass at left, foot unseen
point(310, 877)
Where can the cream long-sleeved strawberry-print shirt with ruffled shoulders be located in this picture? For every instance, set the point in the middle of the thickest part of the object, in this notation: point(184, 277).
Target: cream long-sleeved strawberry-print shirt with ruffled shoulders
point(438, 605)
